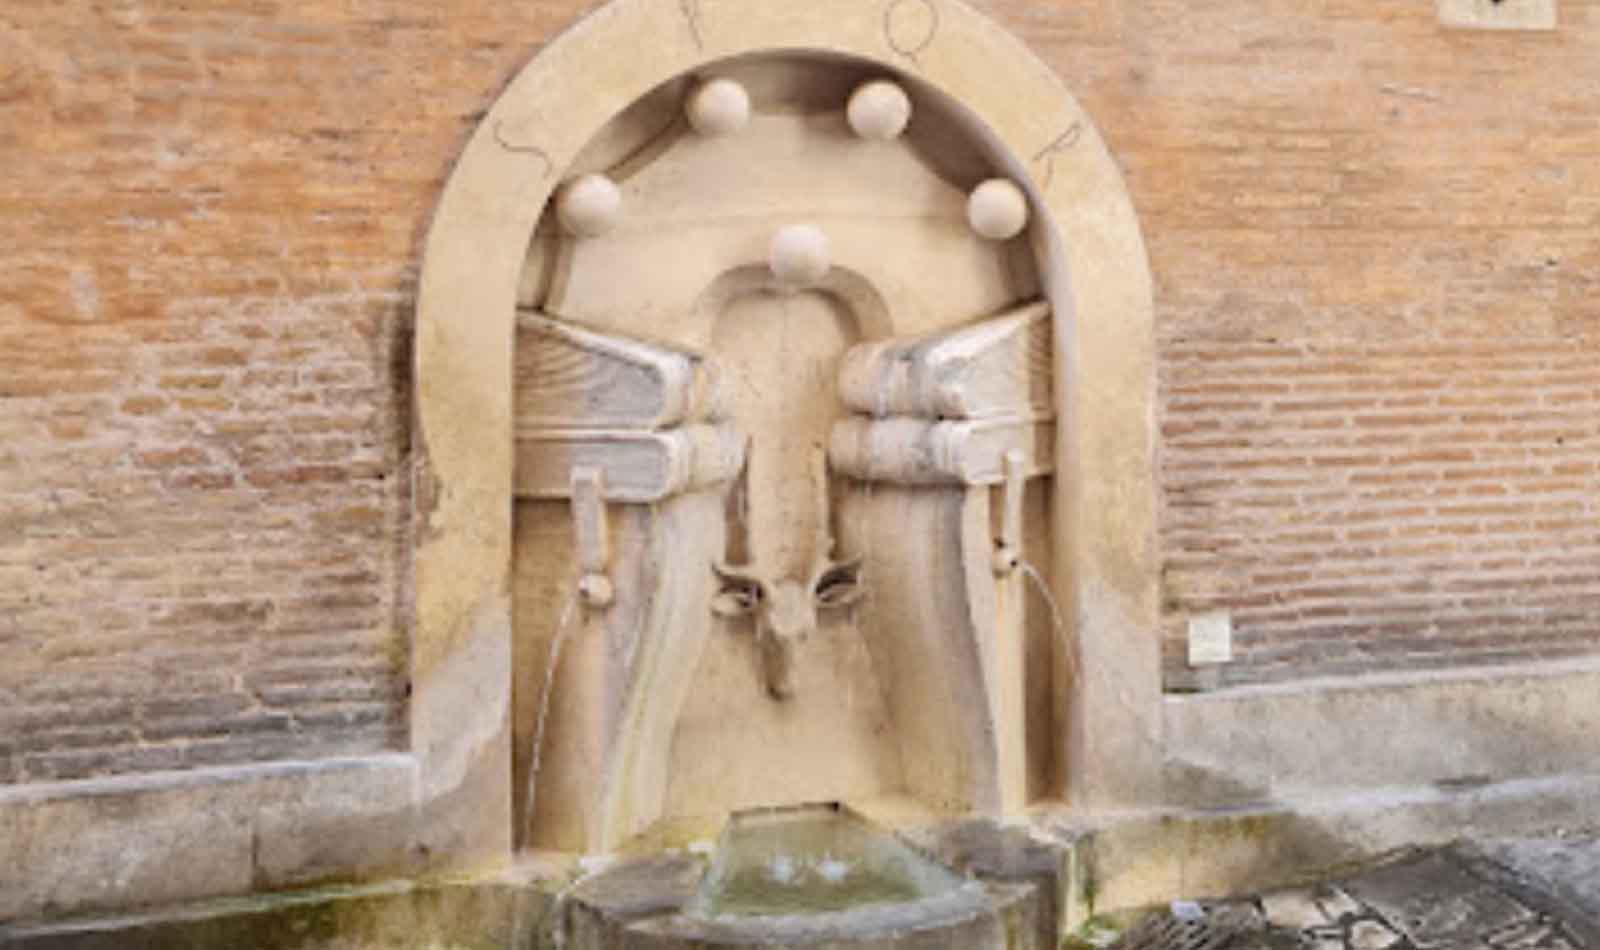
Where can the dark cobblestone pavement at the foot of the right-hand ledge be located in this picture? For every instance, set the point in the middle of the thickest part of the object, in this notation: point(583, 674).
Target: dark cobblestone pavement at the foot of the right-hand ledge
point(1527, 895)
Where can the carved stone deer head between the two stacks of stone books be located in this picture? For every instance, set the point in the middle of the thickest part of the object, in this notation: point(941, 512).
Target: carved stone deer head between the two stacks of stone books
point(786, 609)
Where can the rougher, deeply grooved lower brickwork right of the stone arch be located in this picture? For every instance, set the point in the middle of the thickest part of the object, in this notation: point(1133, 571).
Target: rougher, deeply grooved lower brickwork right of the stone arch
point(1385, 505)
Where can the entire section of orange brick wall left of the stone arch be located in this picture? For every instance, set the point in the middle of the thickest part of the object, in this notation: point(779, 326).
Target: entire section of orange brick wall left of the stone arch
point(209, 233)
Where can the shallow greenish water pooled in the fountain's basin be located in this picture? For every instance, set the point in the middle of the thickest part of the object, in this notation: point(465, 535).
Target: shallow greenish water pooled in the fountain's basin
point(814, 860)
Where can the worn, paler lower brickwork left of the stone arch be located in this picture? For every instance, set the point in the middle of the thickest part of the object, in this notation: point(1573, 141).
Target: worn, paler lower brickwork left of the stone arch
point(199, 537)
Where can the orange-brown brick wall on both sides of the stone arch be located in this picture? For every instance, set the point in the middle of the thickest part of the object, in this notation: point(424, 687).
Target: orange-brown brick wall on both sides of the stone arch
point(210, 218)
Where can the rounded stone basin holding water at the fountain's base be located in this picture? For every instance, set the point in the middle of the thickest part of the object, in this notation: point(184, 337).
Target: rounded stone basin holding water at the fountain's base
point(804, 877)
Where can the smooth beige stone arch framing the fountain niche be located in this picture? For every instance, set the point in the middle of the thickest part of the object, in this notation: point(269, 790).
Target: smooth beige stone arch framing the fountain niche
point(1095, 276)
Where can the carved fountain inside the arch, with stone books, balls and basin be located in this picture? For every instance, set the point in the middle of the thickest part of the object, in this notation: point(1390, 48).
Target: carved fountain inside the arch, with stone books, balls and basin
point(785, 434)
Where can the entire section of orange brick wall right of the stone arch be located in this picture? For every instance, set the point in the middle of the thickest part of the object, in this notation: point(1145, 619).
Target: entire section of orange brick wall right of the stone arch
point(1378, 253)
